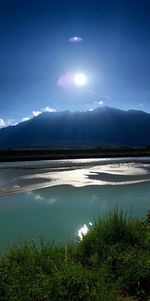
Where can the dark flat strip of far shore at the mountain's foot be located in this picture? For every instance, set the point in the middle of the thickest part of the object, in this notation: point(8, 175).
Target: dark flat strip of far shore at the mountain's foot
point(10, 155)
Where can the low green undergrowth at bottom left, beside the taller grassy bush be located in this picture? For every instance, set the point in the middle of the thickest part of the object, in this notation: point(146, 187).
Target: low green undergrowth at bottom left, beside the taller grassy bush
point(48, 273)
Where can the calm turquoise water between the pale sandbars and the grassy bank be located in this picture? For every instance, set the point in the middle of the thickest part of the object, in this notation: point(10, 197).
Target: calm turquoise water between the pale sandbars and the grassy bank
point(58, 212)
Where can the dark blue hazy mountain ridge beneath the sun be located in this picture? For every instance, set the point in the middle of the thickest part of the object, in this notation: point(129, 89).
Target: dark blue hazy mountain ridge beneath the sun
point(102, 126)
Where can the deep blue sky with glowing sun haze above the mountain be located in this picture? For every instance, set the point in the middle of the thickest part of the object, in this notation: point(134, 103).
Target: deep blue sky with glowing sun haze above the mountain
point(38, 61)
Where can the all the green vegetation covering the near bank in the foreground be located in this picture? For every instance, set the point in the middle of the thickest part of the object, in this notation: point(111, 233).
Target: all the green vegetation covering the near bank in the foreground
point(112, 261)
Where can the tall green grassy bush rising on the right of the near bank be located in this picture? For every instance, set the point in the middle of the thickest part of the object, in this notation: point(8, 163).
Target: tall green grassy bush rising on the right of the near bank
point(119, 248)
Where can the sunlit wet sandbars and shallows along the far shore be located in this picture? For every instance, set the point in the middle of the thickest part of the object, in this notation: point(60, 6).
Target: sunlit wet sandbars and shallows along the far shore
point(29, 176)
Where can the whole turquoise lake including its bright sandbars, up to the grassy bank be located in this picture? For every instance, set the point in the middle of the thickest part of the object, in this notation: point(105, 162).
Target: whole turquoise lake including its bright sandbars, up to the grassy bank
point(57, 200)
